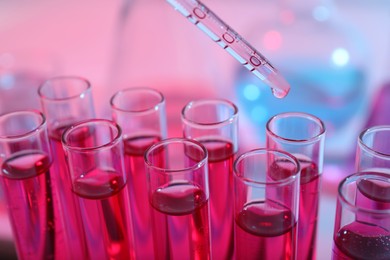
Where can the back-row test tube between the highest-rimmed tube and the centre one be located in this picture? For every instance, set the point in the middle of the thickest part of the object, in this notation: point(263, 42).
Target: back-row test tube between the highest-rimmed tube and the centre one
point(140, 112)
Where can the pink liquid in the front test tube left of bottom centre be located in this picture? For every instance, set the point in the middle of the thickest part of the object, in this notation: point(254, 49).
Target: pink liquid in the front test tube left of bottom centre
point(180, 222)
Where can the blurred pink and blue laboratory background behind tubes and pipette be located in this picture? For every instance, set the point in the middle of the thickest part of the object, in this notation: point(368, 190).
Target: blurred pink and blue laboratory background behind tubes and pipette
point(334, 53)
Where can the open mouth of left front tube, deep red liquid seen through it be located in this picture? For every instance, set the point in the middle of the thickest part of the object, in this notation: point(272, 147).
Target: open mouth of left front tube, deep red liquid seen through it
point(103, 133)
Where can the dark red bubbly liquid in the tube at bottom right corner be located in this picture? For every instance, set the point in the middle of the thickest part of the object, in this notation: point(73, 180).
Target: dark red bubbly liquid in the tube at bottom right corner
point(360, 240)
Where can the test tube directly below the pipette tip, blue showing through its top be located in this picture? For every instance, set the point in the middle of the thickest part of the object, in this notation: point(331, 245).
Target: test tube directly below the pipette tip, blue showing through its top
point(302, 135)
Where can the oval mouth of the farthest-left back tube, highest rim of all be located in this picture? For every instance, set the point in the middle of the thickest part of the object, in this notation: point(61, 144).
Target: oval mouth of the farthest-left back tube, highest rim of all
point(64, 88)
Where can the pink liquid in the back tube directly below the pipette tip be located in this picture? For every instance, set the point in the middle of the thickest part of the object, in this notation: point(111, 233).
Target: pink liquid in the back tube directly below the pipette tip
point(308, 205)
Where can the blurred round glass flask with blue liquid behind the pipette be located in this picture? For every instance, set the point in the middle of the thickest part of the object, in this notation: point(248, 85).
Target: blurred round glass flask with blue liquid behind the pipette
point(323, 58)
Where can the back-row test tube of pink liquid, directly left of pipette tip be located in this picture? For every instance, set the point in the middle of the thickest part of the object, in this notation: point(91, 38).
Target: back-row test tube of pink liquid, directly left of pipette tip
point(214, 123)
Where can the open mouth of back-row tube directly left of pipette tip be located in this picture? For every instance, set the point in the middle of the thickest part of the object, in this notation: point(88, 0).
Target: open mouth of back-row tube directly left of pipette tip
point(197, 113)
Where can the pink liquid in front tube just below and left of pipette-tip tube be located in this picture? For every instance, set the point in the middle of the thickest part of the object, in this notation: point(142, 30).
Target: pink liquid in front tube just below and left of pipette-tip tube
point(265, 230)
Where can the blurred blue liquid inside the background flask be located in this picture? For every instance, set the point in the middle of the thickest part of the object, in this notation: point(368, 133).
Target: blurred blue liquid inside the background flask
point(336, 95)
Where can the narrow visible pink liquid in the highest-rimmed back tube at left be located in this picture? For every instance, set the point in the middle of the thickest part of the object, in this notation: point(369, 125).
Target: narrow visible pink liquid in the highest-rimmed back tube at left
point(67, 201)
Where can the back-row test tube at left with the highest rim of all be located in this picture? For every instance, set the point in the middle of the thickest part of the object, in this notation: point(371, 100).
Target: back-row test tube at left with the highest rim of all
point(66, 100)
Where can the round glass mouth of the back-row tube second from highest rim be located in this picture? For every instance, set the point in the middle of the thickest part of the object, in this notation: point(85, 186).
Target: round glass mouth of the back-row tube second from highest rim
point(137, 100)
